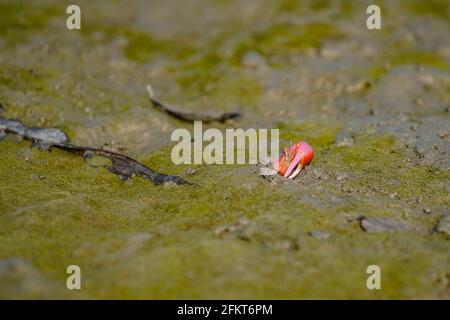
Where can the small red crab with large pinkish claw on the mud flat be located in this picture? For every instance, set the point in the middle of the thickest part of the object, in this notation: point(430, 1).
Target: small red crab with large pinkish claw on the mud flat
point(294, 159)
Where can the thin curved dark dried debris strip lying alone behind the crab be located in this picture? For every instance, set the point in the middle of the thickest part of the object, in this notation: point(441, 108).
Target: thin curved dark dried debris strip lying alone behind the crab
point(189, 117)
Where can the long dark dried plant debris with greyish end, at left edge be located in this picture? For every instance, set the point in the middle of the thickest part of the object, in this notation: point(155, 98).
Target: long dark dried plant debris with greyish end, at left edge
point(121, 165)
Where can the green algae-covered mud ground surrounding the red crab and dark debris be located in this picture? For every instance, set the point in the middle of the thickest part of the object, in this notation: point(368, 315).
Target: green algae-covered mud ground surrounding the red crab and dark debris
point(374, 105)
